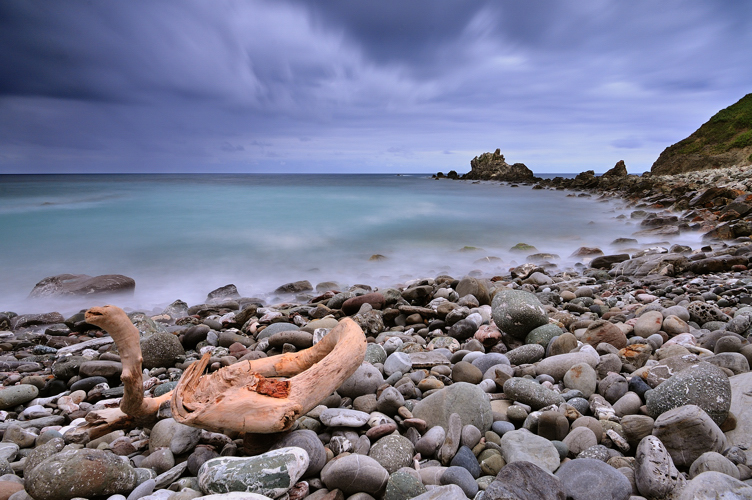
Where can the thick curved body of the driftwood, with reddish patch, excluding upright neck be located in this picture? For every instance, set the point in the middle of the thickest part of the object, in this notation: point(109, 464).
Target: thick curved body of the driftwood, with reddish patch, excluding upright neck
point(248, 398)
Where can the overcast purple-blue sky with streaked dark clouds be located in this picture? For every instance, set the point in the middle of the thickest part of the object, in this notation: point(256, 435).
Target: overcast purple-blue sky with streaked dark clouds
point(361, 86)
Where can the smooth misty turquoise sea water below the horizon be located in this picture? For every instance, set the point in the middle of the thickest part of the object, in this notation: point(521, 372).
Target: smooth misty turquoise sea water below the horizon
point(181, 236)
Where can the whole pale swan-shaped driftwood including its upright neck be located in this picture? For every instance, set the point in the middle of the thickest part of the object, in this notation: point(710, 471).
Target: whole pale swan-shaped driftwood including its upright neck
point(246, 398)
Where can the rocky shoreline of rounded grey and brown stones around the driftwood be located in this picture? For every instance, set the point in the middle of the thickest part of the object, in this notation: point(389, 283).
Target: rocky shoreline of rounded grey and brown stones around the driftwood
point(627, 377)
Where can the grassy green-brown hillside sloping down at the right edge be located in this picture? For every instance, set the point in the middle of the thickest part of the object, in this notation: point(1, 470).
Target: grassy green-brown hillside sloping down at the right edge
point(723, 141)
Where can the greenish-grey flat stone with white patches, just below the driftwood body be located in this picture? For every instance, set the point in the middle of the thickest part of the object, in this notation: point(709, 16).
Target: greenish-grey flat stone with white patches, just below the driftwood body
point(271, 474)
